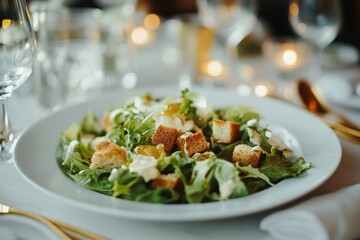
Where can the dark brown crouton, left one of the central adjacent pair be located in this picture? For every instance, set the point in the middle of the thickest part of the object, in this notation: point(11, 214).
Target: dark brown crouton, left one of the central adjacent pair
point(166, 136)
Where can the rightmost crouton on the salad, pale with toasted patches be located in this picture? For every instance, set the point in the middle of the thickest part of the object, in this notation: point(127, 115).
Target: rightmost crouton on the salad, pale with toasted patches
point(246, 155)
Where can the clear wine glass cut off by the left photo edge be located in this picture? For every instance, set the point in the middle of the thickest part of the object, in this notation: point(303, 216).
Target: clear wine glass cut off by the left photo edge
point(17, 58)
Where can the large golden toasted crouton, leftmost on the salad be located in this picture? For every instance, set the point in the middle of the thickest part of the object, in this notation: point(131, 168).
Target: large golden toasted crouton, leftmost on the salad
point(107, 156)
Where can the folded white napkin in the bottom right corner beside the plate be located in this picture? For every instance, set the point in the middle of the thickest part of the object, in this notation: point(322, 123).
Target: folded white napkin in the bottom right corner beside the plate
point(331, 216)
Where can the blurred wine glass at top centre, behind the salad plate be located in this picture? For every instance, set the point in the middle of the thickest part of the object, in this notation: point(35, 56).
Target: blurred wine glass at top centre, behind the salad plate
point(232, 20)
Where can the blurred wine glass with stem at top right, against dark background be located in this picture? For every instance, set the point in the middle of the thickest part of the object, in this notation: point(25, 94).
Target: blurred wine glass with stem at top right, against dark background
point(318, 22)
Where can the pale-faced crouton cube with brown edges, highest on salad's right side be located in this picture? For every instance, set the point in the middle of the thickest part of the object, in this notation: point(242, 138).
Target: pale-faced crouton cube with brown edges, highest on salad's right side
point(225, 131)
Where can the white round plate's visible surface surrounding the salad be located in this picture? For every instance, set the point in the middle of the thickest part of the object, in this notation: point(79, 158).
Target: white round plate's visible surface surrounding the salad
point(35, 159)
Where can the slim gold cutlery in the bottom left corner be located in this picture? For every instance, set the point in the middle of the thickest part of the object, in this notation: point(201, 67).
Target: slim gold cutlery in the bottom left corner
point(61, 229)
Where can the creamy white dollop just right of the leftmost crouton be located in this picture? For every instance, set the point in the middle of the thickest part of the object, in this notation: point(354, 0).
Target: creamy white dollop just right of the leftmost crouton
point(145, 166)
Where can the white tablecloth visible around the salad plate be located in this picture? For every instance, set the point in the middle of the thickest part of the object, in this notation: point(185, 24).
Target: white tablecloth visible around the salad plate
point(17, 192)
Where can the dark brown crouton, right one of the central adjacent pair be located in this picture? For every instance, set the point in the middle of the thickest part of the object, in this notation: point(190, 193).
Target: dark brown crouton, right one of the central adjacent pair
point(192, 143)
